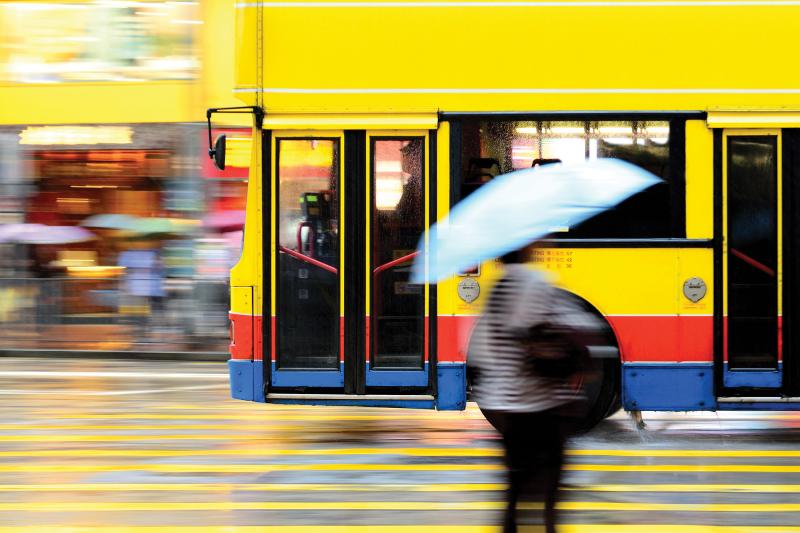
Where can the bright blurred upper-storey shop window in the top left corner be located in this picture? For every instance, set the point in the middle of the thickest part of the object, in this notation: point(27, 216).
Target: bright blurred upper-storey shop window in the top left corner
point(79, 42)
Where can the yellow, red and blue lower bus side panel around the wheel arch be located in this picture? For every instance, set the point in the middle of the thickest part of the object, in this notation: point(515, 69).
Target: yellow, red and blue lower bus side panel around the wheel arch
point(665, 340)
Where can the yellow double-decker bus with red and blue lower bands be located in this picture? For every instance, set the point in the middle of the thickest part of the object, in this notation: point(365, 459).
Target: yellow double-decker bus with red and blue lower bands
point(373, 118)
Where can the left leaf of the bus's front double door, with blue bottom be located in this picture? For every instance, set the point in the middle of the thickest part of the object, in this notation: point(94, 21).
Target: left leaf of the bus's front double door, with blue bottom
point(307, 295)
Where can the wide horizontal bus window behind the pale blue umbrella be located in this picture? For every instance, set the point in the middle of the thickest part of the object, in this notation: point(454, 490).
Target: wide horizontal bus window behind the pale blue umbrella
point(516, 145)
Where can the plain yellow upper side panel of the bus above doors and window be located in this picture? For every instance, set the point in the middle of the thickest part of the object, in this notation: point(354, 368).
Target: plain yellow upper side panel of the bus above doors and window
point(693, 58)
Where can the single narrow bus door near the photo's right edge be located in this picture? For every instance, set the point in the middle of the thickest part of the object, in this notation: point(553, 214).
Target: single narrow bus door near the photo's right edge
point(752, 266)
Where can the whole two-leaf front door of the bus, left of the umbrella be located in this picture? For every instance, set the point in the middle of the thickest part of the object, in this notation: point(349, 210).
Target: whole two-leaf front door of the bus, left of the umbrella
point(348, 211)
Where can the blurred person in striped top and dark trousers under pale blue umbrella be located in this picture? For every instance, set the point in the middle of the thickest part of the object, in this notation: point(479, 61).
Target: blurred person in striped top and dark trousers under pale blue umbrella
point(521, 369)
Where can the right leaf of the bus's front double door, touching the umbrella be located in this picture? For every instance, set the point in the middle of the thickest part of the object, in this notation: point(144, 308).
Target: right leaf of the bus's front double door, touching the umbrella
point(398, 203)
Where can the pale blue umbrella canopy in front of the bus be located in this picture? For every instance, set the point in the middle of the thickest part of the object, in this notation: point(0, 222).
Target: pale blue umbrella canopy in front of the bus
point(515, 209)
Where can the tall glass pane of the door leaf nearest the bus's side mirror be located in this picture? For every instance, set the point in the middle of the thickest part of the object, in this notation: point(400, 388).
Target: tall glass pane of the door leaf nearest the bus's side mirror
point(308, 253)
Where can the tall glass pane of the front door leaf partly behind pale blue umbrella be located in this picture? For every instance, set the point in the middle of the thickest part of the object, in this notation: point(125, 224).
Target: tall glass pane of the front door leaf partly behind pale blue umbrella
point(398, 219)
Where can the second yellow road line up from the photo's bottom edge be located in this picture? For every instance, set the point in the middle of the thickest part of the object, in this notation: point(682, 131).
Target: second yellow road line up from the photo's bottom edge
point(394, 506)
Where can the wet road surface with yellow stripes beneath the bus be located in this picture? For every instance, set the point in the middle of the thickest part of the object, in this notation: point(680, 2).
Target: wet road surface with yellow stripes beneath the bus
point(91, 445)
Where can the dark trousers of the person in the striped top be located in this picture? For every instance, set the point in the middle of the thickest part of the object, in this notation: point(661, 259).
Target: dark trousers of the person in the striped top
point(534, 452)
